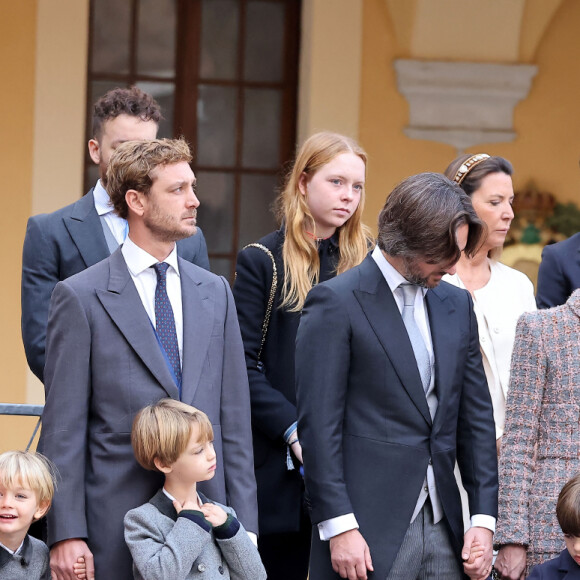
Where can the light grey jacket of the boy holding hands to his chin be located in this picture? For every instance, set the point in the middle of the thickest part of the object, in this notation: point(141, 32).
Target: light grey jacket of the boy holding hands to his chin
point(166, 546)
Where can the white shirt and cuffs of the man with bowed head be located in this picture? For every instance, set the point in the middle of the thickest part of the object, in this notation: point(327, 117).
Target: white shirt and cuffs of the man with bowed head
point(334, 526)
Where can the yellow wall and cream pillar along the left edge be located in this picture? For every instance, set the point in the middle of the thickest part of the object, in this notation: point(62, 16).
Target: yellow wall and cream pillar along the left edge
point(43, 54)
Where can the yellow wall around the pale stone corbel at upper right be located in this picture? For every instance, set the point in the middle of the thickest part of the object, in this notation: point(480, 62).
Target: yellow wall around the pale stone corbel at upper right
point(547, 122)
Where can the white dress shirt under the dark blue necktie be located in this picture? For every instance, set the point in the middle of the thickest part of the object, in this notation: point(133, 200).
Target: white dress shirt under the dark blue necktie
point(139, 263)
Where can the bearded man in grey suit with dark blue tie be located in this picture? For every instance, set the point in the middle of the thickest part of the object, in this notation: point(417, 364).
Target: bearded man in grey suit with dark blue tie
point(141, 325)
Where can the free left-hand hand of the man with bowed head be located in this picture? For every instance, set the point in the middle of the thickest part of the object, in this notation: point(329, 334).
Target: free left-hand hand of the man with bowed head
point(350, 555)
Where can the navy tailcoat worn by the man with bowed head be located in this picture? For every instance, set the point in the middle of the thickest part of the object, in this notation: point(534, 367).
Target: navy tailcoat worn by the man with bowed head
point(364, 423)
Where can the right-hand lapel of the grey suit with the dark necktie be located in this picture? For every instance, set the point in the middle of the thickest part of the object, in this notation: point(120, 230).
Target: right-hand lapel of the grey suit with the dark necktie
point(198, 317)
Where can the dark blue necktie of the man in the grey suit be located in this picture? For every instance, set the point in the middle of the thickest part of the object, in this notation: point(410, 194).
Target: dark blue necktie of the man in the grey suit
point(165, 323)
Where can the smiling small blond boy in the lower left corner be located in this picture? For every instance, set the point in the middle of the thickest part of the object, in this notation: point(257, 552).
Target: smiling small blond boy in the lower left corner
point(27, 485)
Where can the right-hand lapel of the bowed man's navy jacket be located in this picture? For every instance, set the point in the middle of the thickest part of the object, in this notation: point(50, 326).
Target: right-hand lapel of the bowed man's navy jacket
point(441, 311)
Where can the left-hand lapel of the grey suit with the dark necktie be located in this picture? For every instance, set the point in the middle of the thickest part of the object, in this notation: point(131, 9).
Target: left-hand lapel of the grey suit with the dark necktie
point(123, 304)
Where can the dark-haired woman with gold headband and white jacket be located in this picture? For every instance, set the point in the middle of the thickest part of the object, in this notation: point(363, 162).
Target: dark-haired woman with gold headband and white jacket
point(500, 294)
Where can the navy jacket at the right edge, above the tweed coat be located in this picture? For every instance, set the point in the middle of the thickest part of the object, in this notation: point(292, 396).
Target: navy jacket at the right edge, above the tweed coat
point(559, 273)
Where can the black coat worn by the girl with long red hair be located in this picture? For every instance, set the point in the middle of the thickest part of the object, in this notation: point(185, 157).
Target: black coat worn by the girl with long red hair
point(272, 391)
